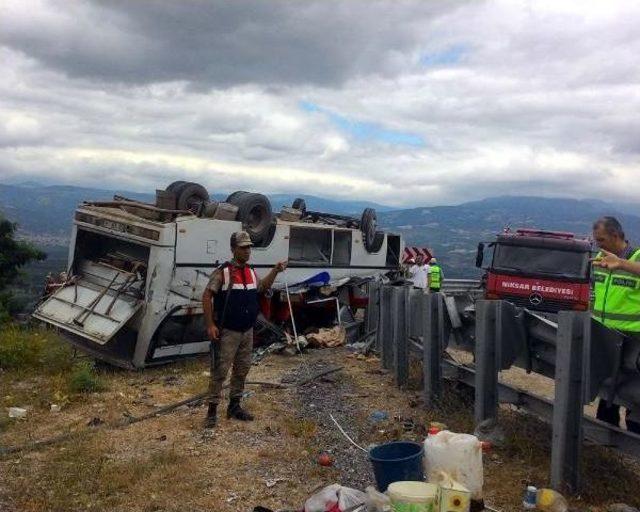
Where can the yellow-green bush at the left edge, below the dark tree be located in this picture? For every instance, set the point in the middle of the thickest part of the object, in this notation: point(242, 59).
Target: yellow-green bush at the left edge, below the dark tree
point(24, 348)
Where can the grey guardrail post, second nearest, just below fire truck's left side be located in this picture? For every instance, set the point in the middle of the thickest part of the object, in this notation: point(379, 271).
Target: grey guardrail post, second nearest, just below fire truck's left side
point(486, 388)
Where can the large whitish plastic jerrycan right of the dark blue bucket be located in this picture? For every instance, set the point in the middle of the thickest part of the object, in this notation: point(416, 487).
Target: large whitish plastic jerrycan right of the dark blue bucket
point(458, 455)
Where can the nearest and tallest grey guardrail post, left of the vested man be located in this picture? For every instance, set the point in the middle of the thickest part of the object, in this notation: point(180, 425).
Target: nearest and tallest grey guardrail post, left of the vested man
point(574, 330)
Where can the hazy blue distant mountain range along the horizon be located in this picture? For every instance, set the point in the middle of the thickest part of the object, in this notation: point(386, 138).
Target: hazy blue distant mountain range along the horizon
point(44, 214)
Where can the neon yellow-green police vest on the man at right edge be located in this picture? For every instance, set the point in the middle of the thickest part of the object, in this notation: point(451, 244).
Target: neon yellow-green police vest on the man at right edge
point(617, 297)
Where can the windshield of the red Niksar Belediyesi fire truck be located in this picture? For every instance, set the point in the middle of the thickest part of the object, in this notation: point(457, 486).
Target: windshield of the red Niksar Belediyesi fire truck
point(538, 260)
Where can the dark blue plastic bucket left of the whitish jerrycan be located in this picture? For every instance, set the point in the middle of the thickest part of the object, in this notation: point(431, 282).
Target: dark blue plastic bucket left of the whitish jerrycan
point(398, 461)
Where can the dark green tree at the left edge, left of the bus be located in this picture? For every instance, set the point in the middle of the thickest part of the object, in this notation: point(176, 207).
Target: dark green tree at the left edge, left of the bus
point(14, 254)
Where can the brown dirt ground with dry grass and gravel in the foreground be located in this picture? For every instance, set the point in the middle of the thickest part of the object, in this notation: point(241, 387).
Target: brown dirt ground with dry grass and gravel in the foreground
point(168, 463)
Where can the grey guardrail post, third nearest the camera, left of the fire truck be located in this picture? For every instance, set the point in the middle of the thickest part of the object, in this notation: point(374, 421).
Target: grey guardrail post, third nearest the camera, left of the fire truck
point(432, 345)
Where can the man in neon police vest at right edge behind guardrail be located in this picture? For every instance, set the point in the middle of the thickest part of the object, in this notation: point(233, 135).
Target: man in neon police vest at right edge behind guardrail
point(616, 297)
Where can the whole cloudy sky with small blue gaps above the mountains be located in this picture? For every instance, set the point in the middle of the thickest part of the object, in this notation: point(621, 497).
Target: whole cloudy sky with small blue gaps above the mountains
point(400, 102)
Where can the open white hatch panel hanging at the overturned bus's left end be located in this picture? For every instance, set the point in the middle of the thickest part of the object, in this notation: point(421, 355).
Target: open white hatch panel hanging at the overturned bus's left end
point(91, 311)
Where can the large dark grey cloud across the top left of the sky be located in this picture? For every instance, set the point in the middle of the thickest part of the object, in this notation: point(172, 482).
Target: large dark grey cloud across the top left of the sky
point(217, 43)
